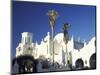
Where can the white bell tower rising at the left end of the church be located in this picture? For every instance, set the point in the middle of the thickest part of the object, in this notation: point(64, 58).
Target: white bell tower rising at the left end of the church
point(26, 46)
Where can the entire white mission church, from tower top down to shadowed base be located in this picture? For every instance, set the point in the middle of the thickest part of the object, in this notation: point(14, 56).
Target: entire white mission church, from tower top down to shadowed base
point(77, 55)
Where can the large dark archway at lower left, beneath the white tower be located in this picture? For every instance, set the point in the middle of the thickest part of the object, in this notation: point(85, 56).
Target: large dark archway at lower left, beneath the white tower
point(26, 64)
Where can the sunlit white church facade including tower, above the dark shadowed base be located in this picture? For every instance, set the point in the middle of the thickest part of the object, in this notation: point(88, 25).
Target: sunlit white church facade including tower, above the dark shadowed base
point(78, 53)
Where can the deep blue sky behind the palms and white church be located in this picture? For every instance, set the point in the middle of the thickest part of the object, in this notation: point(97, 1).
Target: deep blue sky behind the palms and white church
point(31, 17)
